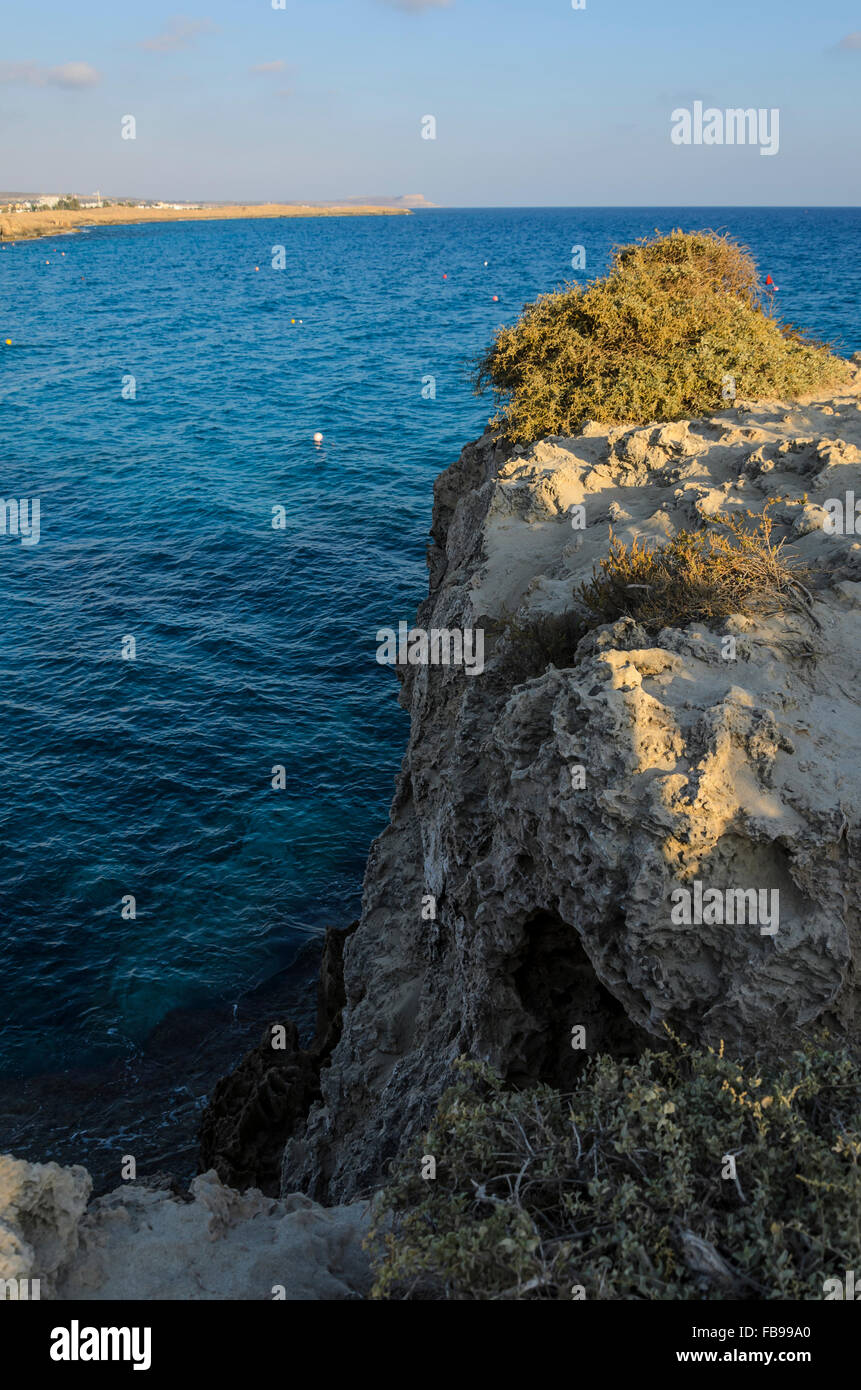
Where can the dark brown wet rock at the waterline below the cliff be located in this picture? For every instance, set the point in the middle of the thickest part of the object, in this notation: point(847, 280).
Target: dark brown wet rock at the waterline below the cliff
point(257, 1107)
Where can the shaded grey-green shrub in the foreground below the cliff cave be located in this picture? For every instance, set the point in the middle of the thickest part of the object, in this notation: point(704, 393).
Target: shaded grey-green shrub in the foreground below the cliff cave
point(618, 1189)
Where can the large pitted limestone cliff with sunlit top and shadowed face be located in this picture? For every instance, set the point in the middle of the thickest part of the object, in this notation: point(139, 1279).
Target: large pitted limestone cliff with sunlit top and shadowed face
point(554, 900)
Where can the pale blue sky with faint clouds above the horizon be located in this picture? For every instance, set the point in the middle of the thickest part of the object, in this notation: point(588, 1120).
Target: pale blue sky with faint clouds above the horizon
point(535, 104)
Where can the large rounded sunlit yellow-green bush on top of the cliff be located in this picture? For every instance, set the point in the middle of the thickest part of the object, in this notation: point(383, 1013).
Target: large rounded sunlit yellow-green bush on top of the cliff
point(654, 340)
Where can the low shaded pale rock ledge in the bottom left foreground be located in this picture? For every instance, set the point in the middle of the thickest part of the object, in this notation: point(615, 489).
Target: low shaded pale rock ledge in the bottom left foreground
point(147, 1242)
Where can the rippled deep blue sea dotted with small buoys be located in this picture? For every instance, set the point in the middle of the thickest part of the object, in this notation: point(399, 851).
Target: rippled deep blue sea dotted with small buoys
point(255, 644)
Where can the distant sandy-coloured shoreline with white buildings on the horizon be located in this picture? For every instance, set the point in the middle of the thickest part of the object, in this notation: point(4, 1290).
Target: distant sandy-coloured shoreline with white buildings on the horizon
point(19, 227)
